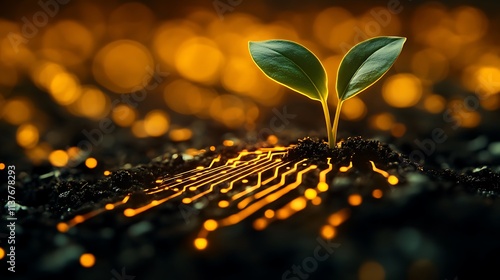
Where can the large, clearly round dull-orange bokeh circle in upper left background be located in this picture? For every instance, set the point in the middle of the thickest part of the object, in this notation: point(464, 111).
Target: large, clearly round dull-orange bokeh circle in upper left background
point(121, 75)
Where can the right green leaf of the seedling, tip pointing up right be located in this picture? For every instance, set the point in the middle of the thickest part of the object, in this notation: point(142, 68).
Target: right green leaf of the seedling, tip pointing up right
point(366, 63)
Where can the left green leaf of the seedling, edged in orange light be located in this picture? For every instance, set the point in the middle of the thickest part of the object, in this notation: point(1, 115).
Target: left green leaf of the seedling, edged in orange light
point(291, 65)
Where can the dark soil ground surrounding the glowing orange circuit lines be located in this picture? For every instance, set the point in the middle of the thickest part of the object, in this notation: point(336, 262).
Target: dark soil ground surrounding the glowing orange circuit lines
point(436, 224)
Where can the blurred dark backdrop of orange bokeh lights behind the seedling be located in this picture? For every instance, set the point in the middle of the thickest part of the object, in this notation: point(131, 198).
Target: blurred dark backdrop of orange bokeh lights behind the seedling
point(85, 79)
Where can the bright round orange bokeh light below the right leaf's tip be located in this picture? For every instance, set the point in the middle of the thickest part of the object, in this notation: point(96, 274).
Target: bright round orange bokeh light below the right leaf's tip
point(402, 90)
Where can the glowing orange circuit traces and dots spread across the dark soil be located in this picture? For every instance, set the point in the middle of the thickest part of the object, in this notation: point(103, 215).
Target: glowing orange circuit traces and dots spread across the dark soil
point(250, 182)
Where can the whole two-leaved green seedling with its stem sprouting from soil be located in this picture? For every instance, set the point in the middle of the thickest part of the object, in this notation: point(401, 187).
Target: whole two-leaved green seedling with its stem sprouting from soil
point(297, 68)
